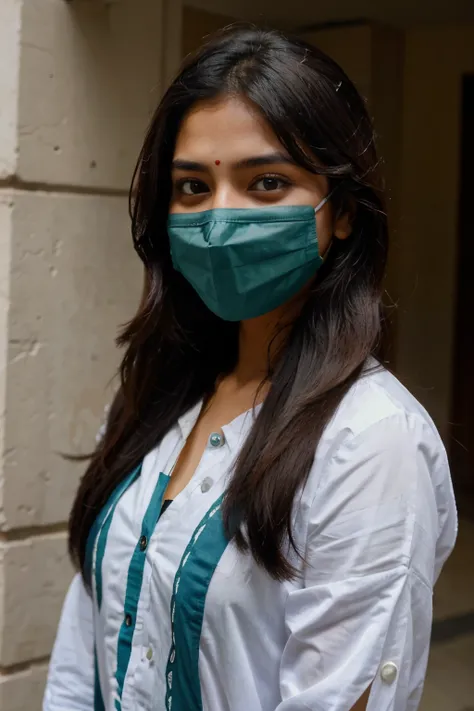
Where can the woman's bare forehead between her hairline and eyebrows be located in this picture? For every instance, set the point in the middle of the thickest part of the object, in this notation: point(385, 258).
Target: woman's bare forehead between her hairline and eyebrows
point(228, 128)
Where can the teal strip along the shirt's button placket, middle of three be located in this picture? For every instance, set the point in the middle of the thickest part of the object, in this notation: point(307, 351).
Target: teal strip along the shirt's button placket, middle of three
point(134, 584)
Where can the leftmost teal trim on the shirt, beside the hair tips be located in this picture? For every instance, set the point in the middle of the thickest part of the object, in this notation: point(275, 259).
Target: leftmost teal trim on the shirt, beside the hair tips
point(99, 533)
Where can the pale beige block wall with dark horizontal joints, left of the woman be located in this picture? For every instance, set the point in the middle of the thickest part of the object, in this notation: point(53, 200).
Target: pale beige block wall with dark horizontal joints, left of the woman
point(77, 83)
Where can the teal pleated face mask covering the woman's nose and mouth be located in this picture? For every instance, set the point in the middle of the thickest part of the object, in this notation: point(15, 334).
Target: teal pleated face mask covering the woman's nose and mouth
point(244, 263)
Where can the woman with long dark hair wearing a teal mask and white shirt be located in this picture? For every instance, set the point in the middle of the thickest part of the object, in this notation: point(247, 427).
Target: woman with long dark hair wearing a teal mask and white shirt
point(262, 524)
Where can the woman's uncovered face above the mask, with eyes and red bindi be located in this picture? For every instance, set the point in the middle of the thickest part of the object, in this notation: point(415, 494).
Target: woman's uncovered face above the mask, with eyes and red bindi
point(227, 156)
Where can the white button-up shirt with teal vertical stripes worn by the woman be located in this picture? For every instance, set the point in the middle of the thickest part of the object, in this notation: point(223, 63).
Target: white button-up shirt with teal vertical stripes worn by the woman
point(190, 624)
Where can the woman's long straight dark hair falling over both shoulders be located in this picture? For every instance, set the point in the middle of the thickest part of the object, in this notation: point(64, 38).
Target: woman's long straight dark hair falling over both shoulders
point(176, 348)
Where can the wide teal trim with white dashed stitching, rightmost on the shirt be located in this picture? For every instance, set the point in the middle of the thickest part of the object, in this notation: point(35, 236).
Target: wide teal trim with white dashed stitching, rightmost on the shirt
point(198, 564)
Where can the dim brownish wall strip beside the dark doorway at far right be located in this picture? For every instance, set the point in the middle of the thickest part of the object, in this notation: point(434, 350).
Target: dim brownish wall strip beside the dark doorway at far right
point(436, 59)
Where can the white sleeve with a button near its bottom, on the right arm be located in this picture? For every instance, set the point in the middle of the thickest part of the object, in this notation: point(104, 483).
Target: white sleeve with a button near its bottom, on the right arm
point(363, 615)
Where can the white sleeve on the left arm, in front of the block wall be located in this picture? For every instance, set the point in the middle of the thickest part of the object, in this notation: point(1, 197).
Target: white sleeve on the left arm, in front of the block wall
point(70, 685)
